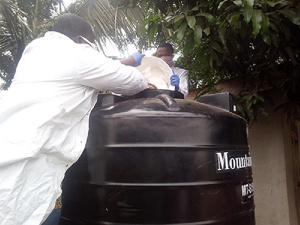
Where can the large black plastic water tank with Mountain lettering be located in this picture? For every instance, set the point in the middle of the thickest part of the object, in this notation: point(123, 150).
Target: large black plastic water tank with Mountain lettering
point(161, 160)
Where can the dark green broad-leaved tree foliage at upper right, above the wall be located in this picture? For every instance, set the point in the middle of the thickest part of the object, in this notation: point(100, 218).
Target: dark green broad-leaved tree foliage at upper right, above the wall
point(257, 42)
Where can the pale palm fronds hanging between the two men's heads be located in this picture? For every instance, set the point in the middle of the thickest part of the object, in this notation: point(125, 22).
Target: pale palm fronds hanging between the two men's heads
point(118, 21)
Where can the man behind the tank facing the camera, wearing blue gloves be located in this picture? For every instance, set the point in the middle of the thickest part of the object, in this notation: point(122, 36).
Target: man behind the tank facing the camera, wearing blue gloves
point(180, 77)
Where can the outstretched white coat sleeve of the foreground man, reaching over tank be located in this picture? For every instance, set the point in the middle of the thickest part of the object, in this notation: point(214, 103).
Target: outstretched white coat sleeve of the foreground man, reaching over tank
point(104, 73)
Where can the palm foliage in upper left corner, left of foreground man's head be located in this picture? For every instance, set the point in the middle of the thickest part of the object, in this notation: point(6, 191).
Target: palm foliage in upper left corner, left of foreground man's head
point(20, 22)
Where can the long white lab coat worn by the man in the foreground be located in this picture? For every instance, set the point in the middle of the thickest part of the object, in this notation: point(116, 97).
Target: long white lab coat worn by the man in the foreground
point(44, 121)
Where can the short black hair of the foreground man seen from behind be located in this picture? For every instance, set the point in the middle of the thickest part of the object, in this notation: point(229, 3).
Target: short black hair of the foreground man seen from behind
point(71, 25)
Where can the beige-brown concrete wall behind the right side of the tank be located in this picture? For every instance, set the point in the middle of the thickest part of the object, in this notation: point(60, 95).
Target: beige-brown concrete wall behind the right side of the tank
point(273, 167)
